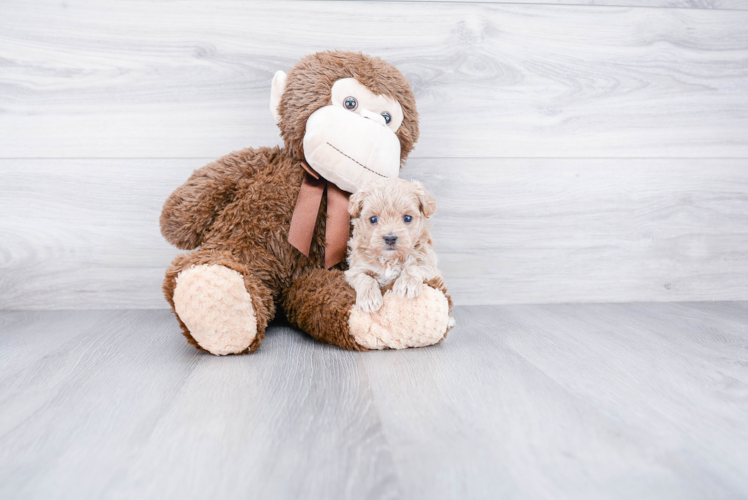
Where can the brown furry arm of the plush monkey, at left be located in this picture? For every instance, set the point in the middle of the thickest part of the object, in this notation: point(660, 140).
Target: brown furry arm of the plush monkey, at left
point(190, 210)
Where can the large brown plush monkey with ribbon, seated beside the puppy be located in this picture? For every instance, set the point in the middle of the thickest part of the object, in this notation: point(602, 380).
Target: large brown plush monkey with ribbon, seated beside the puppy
point(352, 118)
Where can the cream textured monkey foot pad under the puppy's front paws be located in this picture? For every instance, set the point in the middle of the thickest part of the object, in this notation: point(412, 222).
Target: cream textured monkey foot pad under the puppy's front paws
point(402, 322)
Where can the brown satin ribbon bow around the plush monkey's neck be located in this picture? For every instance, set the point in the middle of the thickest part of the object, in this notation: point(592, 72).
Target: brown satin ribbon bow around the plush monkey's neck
point(305, 217)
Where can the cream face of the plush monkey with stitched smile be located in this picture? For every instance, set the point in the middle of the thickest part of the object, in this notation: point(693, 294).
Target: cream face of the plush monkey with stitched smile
point(352, 141)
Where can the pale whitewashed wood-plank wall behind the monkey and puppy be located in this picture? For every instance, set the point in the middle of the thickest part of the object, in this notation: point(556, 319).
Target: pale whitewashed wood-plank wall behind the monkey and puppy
point(580, 151)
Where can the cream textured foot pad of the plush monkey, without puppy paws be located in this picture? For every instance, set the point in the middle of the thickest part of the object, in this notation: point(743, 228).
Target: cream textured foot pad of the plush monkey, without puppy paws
point(212, 301)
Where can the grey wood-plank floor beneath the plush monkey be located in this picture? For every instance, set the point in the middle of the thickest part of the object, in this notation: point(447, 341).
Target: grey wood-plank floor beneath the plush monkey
point(521, 401)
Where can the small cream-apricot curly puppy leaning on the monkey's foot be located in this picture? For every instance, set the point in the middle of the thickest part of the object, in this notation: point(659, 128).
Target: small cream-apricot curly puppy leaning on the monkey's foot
point(391, 241)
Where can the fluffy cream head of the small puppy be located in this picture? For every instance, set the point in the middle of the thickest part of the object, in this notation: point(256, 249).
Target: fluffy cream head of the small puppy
point(389, 216)
